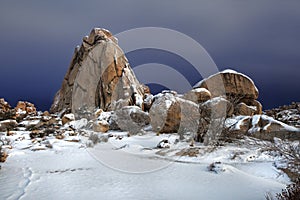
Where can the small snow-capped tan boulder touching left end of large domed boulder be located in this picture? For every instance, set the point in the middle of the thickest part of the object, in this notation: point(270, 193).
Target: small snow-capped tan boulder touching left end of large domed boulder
point(198, 95)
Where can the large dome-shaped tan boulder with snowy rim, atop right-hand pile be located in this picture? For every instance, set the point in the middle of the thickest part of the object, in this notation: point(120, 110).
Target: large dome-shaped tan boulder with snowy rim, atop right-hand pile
point(234, 84)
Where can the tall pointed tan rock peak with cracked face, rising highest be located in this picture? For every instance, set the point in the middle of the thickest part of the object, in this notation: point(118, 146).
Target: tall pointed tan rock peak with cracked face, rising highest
point(99, 76)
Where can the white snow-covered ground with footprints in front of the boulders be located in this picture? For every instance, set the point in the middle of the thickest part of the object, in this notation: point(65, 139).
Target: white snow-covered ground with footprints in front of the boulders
point(134, 168)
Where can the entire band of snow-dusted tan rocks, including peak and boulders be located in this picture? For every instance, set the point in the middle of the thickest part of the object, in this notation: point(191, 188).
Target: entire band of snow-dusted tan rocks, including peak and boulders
point(100, 92)
